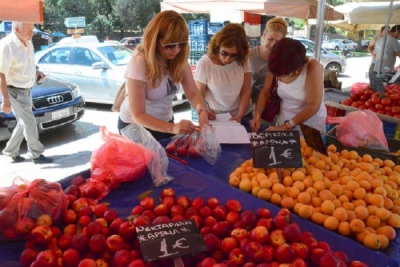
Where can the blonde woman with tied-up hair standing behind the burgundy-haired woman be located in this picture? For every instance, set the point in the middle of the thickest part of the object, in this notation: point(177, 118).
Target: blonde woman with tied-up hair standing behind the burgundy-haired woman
point(275, 30)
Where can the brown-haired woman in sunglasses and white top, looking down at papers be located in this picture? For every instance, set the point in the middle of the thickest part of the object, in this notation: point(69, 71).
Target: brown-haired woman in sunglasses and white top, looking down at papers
point(223, 74)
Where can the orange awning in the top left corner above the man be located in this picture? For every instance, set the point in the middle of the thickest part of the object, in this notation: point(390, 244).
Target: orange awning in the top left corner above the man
point(22, 10)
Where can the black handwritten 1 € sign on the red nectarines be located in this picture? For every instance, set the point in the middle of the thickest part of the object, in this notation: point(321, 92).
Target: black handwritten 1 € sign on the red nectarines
point(169, 240)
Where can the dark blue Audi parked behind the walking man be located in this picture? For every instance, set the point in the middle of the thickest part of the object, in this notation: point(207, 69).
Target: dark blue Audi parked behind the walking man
point(55, 103)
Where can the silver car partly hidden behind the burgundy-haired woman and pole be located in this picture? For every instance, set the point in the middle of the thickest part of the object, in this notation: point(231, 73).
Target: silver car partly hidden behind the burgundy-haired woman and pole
point(329, 60)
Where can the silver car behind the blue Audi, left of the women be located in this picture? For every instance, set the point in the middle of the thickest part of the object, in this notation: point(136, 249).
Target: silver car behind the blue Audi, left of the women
point(97, 68)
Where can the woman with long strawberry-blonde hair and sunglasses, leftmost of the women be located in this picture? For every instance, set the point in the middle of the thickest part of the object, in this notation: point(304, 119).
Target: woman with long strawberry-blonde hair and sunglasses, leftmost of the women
point(153, 75)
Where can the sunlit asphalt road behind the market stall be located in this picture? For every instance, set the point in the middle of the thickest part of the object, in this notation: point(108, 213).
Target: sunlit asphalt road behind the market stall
point(71, 146)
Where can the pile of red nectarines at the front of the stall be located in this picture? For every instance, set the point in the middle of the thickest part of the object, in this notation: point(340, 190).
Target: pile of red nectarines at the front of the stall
point(93, 235)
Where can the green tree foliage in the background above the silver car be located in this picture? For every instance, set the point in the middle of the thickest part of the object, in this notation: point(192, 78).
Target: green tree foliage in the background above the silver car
point(112, 19)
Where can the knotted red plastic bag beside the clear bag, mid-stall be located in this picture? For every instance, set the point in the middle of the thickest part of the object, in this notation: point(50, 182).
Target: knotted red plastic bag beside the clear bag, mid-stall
point(119, 159)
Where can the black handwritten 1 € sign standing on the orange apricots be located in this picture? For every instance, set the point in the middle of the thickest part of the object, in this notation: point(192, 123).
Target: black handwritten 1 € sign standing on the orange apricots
point(276, 149)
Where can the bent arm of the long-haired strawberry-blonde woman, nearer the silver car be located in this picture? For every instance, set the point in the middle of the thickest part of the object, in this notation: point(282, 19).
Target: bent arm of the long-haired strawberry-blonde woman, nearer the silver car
point(137, 104)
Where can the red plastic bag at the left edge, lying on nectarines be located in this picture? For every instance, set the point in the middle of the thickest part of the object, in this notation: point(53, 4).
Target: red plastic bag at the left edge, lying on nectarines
point(24, 201)
